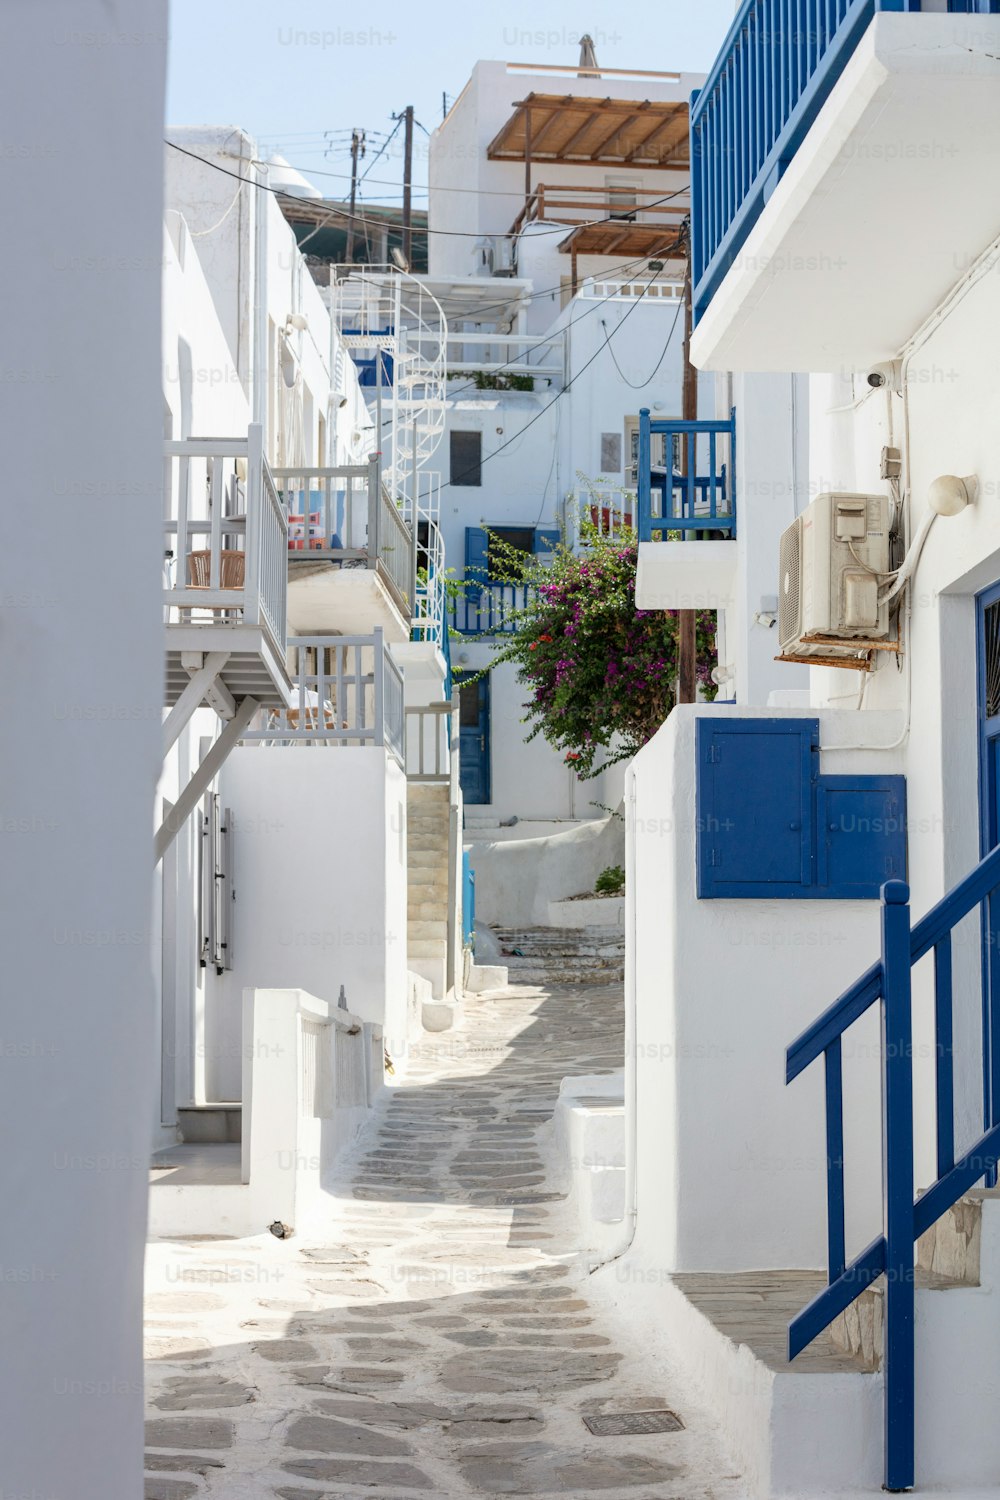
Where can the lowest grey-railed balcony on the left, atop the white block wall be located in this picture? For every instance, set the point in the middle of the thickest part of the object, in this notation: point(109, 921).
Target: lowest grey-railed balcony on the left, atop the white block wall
point(346, 692)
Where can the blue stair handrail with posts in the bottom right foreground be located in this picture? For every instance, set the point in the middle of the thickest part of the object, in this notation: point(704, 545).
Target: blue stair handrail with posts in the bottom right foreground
point(905, 1217)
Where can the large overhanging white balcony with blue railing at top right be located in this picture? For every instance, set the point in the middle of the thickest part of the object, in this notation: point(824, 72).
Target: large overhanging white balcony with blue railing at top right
point(837, 178)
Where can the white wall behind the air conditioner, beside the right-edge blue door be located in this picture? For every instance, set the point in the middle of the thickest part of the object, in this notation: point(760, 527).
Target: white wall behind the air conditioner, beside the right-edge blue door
point(948, 412)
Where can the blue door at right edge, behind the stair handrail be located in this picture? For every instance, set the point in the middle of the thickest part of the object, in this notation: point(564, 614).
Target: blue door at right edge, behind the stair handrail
point(989, 673)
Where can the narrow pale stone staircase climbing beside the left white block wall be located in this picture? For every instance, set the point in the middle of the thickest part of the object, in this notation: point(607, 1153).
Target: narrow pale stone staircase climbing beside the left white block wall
point(428, 883)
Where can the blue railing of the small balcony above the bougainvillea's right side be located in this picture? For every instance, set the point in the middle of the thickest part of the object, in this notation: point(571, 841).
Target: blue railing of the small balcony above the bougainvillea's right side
point(696, 482)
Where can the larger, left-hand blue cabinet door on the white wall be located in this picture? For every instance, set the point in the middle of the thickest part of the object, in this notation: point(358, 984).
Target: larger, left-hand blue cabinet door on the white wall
point(755, 806)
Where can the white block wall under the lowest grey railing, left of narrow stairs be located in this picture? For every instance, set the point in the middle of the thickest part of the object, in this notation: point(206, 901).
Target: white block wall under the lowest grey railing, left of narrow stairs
point(320, 857)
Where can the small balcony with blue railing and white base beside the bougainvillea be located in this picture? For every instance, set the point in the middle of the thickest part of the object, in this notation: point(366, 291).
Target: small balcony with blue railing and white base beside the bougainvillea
point(687, 494)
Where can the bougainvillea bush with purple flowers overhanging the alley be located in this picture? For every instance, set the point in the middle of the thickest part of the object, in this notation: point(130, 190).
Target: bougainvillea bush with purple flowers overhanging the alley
point(600, 673)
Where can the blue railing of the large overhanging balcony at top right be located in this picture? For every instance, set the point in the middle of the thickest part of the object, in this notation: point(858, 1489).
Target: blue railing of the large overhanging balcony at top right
point(774, 73)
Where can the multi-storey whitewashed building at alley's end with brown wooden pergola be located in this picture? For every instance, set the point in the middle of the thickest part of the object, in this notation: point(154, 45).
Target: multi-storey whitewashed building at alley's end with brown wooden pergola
point(557, 200)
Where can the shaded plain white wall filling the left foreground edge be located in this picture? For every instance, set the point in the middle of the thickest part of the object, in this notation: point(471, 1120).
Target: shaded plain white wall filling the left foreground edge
point(82, 662)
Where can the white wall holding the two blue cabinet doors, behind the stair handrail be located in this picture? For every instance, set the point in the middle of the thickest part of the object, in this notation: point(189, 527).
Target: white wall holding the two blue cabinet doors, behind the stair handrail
point(731, 1163)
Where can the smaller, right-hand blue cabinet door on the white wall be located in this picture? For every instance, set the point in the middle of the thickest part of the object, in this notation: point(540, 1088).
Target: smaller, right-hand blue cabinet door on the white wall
point(861, 823)
